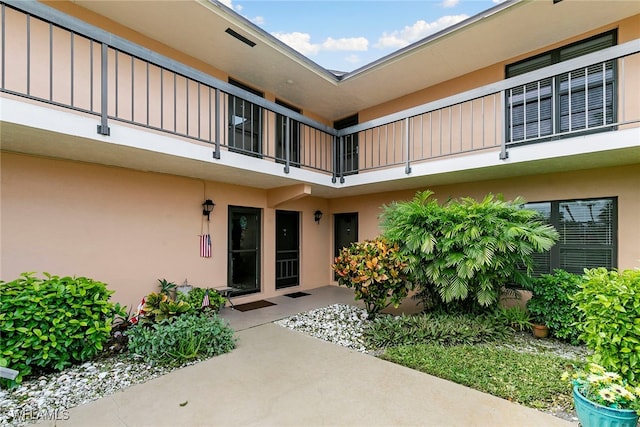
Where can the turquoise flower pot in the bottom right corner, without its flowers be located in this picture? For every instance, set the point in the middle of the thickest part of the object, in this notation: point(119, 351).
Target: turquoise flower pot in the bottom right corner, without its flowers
point(592, 414)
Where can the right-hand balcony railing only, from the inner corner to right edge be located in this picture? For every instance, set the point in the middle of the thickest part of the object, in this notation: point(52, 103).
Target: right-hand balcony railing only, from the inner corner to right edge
point(591, 93)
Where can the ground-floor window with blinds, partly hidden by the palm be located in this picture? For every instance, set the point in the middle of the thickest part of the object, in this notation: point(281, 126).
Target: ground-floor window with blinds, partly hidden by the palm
point(588, 235)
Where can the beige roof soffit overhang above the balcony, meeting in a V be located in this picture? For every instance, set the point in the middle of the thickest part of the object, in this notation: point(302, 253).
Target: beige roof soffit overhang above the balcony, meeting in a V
point(197, 28)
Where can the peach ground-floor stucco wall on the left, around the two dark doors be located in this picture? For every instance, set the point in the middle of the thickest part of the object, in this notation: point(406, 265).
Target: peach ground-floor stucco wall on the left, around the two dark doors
point(130, 228)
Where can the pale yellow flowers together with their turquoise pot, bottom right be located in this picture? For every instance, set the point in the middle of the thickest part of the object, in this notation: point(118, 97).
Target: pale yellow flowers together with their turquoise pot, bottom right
point(604, 398)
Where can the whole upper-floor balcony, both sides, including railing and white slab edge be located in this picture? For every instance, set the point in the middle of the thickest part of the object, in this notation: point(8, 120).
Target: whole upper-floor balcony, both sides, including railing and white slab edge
point(72, 67)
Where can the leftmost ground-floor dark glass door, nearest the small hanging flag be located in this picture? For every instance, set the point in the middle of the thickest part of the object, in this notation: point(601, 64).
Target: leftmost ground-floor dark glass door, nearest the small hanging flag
point(244, 250)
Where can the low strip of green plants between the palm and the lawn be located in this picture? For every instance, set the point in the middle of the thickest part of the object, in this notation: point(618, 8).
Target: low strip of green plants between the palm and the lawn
point(441, 329)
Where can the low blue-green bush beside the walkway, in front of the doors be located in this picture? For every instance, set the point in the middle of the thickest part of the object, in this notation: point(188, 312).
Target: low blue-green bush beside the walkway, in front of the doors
point(179, 339)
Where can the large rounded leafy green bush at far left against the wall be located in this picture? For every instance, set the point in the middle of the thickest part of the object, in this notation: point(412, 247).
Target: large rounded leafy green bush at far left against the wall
point(52, 323)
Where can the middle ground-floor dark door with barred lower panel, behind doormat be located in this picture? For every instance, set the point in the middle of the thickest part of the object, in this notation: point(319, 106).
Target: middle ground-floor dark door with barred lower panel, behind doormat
point(287, 249)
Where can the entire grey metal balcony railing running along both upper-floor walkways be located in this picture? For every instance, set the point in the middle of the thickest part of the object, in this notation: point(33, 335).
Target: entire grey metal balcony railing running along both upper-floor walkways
point(53, 58)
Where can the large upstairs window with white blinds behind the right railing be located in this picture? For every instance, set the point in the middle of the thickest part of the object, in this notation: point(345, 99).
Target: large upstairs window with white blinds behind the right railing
point(580, 100)
